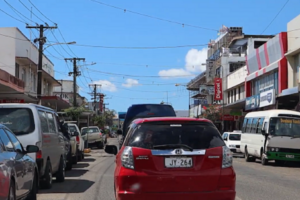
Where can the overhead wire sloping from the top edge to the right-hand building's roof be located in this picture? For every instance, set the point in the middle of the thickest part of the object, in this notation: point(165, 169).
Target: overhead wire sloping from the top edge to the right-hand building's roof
point(153, 17)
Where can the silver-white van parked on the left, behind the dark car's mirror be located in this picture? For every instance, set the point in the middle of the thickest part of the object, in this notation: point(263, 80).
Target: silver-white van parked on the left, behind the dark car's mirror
point(38, 125)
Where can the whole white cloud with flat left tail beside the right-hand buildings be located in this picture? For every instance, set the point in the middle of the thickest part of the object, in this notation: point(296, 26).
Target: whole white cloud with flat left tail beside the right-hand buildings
point(193, 64)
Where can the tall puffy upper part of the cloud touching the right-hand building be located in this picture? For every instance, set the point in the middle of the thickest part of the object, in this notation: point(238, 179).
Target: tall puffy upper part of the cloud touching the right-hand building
point(194, 60)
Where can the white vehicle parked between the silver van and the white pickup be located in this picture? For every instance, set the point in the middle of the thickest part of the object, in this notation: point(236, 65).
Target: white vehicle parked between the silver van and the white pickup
point(79, 147)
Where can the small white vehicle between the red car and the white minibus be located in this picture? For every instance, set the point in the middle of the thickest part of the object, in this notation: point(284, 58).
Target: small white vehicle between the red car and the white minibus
point(233, 141)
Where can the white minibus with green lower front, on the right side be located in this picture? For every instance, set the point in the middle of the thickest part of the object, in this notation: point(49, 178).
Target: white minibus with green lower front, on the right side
point(271, 135)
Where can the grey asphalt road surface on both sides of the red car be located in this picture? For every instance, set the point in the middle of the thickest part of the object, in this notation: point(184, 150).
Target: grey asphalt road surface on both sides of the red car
point(92, 179)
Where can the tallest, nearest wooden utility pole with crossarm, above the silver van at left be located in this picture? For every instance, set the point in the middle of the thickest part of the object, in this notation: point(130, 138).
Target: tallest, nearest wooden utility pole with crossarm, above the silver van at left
point(42, 41)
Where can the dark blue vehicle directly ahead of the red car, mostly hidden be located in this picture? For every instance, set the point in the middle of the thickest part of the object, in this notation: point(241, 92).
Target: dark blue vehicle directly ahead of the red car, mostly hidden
point(145, 111)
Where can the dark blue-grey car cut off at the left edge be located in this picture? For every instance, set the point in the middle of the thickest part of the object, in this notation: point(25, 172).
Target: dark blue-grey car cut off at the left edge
point(18, 171)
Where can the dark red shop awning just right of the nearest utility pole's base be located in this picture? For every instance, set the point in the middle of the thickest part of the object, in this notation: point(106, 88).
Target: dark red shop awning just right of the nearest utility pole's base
point(55, 103)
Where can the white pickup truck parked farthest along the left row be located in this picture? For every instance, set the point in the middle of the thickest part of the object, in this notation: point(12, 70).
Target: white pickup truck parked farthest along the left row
point(93, 135)
